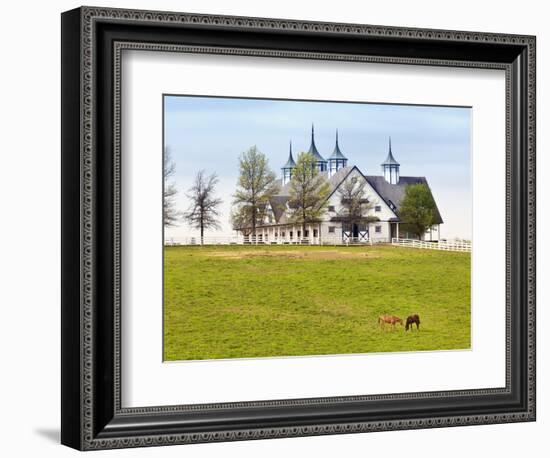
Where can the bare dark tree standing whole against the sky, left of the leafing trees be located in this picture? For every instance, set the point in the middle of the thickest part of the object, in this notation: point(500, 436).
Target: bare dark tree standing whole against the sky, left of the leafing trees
point(203, 212)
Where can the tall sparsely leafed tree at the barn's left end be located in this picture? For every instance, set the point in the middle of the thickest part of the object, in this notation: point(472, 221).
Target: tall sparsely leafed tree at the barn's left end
point(255, 186)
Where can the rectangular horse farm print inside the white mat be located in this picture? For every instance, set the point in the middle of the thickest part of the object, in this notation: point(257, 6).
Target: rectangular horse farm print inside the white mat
point(313, 227)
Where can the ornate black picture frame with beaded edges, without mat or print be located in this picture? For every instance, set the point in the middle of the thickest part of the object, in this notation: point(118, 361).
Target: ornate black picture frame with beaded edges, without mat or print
point(92, 42)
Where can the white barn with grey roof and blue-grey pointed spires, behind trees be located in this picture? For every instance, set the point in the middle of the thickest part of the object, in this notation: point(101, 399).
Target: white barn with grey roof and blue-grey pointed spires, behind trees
point(385, 192)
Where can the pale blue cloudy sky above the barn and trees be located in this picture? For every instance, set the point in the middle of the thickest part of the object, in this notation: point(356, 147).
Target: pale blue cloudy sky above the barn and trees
point(210, 133)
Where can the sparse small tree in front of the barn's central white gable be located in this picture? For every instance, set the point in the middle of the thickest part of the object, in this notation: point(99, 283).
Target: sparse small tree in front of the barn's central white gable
point(354, 203)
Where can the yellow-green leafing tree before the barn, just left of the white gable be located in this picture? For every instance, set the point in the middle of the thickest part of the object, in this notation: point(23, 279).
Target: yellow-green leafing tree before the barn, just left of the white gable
point(308, 192)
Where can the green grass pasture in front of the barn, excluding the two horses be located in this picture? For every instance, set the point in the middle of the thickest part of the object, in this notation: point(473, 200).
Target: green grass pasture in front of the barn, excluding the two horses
point(260, 301)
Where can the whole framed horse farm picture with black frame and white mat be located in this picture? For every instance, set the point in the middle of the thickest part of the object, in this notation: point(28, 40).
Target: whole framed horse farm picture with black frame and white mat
point(276, 228)
